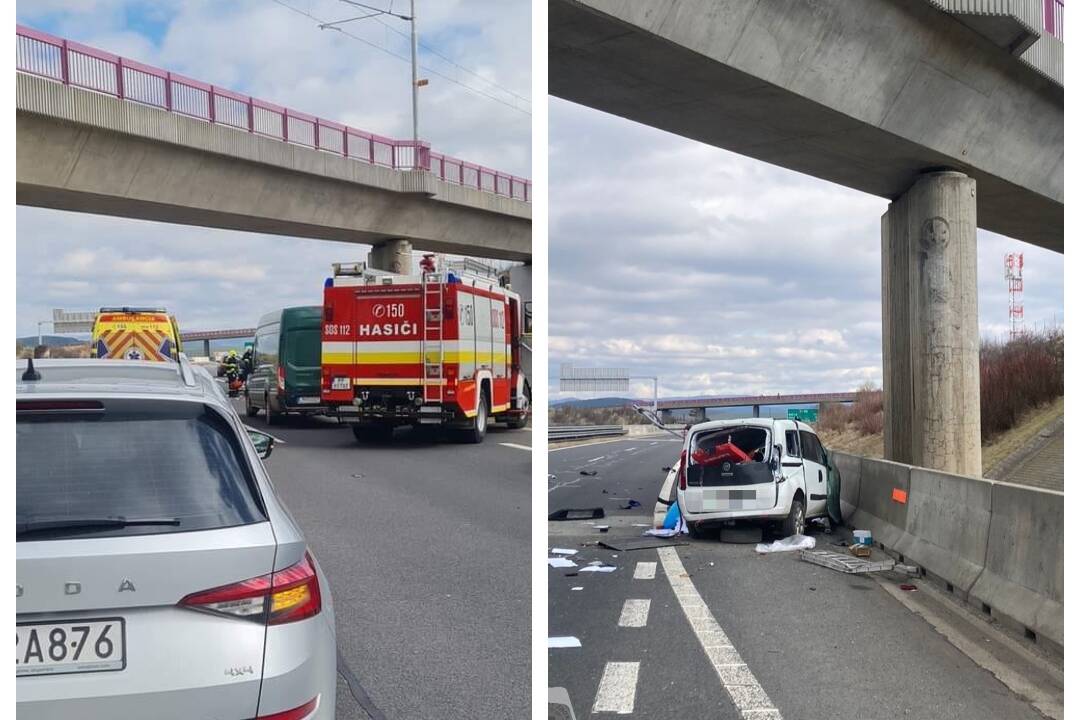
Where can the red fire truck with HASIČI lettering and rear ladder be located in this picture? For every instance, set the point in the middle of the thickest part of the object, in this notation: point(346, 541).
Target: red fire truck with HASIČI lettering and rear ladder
point(442, 348)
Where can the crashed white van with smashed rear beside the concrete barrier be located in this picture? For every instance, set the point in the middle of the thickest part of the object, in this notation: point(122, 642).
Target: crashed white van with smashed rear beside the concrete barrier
point(775, 471)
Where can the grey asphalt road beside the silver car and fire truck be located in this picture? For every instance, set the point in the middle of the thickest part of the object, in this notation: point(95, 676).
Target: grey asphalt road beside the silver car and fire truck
point(426, 548)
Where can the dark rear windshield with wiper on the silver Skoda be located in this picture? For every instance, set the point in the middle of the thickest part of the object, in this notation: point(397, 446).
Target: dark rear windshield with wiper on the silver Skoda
point(173, 461)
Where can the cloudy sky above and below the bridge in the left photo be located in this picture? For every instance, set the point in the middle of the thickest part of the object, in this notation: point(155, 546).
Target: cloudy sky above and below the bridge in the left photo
point(263, 48)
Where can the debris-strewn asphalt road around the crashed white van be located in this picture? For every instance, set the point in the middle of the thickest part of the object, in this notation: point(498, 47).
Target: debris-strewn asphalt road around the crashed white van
point(818, 643)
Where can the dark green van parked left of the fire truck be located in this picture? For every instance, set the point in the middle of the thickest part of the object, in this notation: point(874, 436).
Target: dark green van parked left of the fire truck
point(287, 360)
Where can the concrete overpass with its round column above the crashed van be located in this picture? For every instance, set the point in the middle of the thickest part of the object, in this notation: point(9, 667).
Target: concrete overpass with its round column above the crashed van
point(922, 102)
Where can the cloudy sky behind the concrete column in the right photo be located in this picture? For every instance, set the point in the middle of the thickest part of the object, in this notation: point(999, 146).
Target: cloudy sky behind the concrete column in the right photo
point(726, 276)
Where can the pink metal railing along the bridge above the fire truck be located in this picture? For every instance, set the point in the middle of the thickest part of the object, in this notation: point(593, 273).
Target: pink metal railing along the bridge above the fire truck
point(74, 64)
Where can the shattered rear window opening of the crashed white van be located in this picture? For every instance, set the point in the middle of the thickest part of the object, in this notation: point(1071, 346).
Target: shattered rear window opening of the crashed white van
point(730, 456)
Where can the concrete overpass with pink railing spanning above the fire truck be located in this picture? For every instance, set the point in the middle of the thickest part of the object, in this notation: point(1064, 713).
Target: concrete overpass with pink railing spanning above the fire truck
point(99, 133)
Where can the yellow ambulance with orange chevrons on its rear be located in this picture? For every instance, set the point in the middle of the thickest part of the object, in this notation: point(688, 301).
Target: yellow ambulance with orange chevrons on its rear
point(142, 334)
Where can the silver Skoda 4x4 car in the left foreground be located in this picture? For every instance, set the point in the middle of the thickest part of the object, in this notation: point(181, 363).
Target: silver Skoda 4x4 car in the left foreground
point(158, 576)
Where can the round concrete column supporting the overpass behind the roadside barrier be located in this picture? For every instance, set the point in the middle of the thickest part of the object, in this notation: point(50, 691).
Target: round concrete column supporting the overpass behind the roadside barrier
point(930, 327)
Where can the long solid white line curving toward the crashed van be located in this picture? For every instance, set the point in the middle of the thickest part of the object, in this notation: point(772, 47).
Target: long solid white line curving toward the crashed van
point(740, 684)
